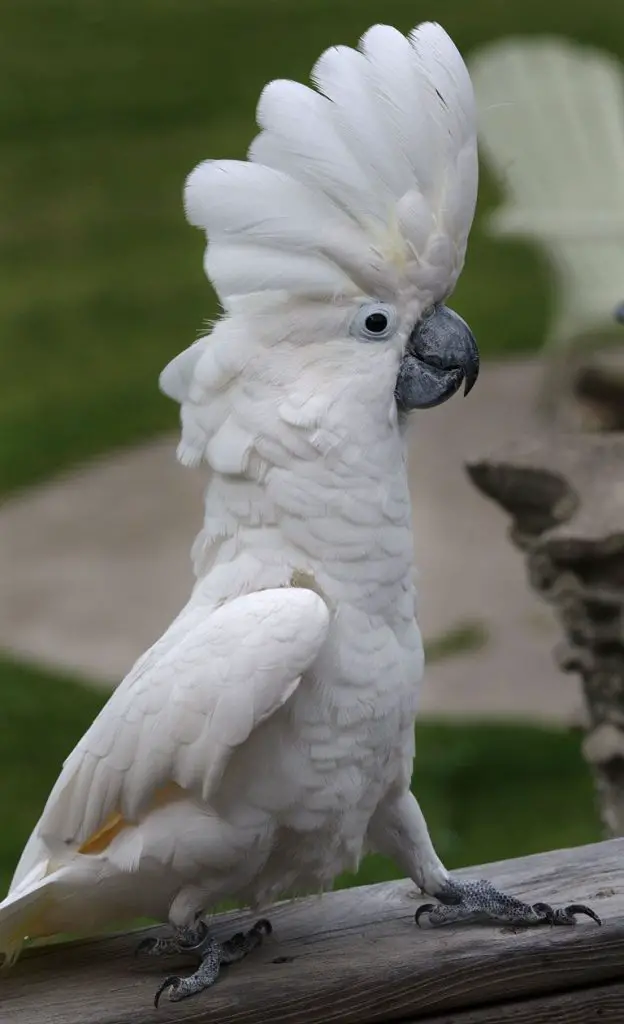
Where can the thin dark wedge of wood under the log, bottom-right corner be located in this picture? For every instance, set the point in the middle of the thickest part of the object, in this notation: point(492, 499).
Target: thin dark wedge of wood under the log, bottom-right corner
point(605, 1004)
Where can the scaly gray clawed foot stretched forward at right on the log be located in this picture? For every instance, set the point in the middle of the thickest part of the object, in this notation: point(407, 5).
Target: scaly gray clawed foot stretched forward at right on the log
point(480, 902)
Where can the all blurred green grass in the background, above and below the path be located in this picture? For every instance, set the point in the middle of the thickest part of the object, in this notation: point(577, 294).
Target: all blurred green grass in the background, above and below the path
point(105, 107)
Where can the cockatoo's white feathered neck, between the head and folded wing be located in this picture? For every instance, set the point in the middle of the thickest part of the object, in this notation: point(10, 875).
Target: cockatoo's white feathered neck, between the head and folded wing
point(336, 516)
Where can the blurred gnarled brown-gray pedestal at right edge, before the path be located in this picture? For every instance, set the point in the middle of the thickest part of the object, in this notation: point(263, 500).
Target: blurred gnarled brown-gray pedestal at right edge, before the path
point(566, 497)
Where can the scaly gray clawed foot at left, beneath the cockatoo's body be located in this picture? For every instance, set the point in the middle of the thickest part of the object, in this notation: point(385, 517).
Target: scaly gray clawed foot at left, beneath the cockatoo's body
point(213, 955)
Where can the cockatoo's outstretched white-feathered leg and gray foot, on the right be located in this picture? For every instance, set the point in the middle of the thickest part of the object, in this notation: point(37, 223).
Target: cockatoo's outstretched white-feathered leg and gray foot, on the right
point(399, 831)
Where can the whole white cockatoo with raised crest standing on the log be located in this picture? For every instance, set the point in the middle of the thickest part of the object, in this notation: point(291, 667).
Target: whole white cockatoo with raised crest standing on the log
point(267, 740)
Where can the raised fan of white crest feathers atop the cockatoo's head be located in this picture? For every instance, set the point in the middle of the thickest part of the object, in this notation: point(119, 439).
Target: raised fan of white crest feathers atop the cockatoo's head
point(366, 186)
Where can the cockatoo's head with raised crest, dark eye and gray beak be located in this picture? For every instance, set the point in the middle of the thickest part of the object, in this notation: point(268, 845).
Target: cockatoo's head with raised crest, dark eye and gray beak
point(335, 247)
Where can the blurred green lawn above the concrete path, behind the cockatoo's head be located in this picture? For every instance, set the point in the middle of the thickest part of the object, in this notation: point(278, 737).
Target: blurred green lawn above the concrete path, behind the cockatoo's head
point(105, 107)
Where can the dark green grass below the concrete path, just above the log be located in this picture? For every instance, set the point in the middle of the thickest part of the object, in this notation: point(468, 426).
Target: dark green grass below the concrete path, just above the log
point(489, 792)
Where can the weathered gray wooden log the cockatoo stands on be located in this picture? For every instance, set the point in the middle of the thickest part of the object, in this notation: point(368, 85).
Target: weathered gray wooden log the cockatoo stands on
point(356, 957)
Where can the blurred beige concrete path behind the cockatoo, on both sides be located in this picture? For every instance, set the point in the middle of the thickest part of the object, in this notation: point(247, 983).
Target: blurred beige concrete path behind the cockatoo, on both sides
point(94, 567)
